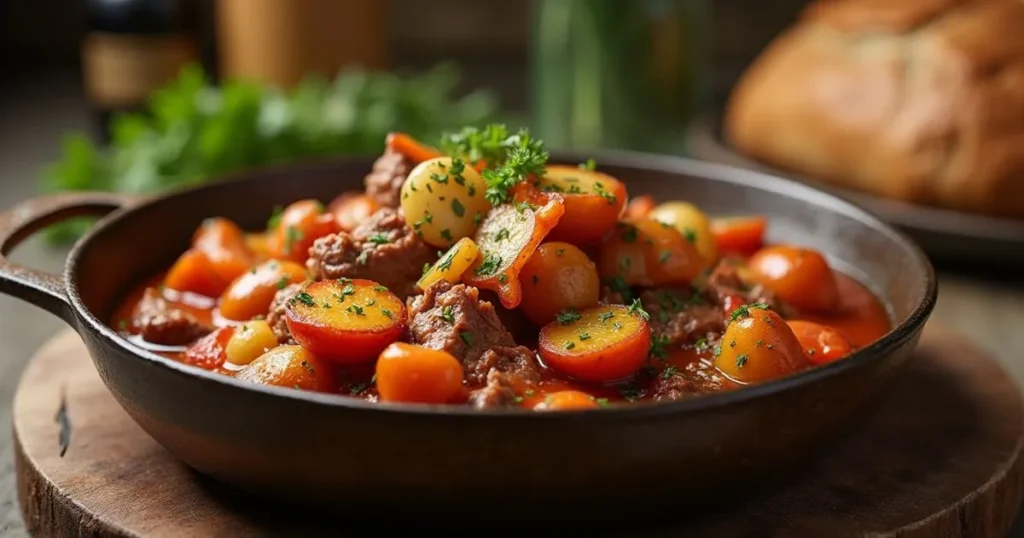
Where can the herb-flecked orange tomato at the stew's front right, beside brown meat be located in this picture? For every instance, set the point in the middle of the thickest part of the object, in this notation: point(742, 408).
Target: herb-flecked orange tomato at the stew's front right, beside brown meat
point(758, 346)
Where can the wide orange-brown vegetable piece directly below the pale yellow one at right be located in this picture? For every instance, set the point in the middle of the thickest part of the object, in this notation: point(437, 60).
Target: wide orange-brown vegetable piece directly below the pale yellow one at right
point(647, 253)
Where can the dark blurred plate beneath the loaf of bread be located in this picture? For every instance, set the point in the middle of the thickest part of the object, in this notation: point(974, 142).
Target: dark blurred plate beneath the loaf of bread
point(708, 131)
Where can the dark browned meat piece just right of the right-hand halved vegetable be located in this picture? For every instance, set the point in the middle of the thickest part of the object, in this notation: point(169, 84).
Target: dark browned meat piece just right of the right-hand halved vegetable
point(679, 316)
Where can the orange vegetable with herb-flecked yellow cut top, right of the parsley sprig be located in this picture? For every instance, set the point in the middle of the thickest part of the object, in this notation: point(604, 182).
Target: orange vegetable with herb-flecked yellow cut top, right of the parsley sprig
point(593, 202)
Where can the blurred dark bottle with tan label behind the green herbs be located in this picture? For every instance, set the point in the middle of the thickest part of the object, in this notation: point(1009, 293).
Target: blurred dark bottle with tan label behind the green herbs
point(133, 48)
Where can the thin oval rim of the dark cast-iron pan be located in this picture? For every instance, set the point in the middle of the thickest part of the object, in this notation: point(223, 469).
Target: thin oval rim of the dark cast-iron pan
point(877, 351)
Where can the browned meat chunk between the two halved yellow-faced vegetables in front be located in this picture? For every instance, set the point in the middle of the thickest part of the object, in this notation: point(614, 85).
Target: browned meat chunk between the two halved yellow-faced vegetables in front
point(454, 319)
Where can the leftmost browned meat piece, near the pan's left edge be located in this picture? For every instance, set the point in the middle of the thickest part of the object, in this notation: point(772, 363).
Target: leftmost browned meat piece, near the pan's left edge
point(159, 322)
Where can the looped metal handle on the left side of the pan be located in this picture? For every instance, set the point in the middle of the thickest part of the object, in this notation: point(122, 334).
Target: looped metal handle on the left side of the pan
point(20, 223)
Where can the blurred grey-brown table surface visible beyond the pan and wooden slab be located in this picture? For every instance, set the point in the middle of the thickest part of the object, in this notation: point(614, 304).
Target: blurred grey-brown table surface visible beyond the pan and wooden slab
point(990, 310)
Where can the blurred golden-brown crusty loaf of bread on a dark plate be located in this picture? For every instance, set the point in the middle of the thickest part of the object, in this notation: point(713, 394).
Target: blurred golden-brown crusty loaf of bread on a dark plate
point(920, 101)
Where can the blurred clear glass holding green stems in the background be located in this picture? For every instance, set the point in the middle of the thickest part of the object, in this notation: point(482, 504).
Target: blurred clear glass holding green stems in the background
point(625, 74)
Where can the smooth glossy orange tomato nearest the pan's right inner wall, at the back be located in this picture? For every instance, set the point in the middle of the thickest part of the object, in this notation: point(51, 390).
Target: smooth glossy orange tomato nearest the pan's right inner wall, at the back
point(799, 276)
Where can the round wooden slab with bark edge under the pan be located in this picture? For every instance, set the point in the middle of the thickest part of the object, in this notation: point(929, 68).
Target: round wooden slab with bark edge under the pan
point(941, 459)
